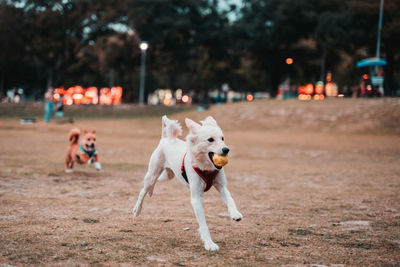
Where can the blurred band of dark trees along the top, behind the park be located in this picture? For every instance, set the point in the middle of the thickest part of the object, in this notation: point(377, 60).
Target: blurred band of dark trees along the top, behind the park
point(193, 44)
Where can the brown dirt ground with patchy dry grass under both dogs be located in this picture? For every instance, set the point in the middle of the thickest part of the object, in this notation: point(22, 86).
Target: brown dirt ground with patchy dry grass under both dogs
point(317, 184)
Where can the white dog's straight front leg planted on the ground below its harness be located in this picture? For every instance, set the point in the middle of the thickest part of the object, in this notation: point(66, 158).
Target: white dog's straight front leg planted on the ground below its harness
point(196, 199)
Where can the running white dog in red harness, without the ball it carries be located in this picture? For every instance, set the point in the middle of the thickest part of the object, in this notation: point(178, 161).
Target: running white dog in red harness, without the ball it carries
point(192, 162)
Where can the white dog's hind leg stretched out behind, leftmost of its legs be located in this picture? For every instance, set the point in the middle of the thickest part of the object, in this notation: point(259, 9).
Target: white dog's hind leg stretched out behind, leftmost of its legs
point(156, 167)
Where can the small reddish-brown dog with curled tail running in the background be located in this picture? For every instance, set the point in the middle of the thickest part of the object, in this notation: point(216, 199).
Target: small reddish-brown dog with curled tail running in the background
point(82, 153)
